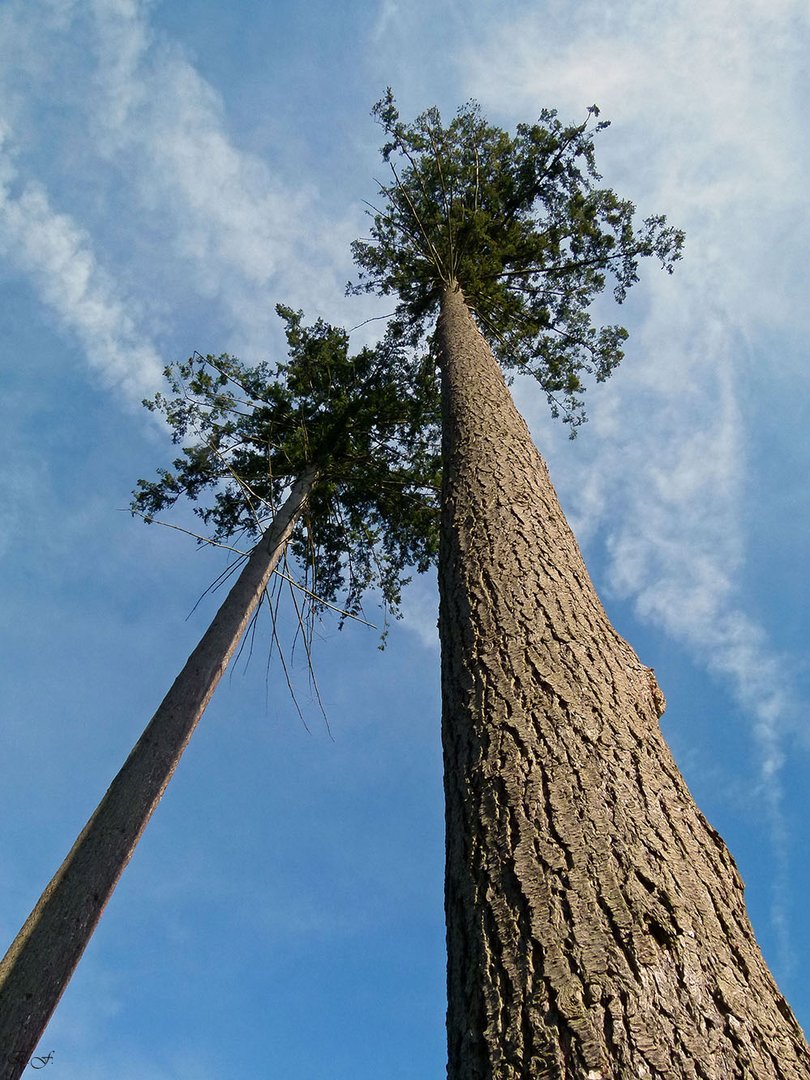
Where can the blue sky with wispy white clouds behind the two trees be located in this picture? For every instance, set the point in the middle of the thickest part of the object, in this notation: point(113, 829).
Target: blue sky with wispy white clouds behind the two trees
point(168, 174)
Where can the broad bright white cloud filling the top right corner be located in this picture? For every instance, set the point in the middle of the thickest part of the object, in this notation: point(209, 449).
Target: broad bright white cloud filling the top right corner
point(707, 104)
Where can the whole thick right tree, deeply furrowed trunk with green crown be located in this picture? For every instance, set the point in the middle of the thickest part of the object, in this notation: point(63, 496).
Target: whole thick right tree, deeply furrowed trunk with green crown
point(596, 922)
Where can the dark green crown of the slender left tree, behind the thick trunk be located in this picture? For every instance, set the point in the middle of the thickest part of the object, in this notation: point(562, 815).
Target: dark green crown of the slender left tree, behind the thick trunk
point(364, 421)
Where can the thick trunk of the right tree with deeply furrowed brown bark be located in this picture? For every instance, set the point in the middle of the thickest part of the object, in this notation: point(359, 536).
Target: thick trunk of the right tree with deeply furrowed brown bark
point(596, 921)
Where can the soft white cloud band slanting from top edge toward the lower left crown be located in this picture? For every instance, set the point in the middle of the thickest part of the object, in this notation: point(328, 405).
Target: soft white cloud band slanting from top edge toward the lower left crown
point(240, 234)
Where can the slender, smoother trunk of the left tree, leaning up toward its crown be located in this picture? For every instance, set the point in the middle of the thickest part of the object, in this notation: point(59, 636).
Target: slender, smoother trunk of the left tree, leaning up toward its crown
point(43, 958)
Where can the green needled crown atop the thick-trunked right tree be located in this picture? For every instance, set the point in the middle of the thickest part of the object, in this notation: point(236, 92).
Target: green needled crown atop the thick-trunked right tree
point(521, 224)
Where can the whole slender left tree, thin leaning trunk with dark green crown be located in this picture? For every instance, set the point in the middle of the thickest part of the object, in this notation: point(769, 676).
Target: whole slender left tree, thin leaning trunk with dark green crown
point(355, 448)
